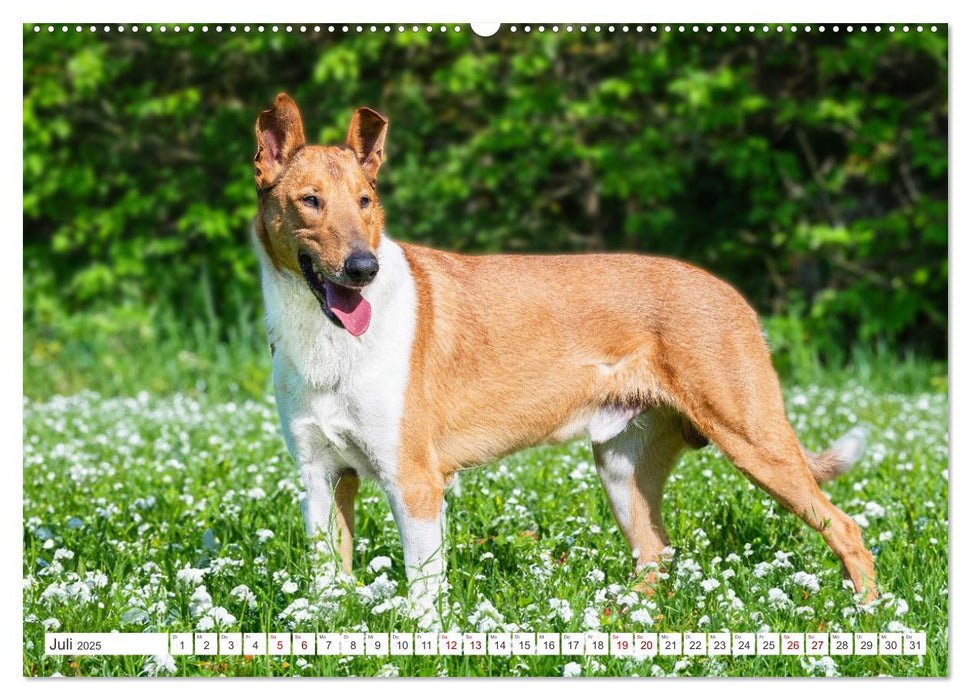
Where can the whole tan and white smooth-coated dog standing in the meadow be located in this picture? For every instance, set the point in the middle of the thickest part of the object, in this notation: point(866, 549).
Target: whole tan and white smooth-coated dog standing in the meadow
point(405, 364)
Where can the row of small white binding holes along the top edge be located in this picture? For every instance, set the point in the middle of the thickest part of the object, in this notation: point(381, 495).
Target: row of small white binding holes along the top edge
point(513, 28)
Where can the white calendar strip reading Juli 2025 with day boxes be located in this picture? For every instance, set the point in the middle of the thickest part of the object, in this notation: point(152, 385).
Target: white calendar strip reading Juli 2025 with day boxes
point(503, 644)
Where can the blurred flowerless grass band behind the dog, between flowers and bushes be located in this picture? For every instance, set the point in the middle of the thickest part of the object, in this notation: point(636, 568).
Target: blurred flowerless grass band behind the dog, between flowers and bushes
point(121, 351)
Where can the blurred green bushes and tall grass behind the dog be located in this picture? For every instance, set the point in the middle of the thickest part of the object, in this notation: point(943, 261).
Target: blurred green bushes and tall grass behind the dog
point(808, 169)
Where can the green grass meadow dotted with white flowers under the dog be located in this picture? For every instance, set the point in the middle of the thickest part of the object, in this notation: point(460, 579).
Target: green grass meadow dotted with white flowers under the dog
point(120, 494)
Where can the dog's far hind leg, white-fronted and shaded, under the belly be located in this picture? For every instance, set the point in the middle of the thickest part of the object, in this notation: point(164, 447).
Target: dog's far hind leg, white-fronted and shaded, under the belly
point(633, 467)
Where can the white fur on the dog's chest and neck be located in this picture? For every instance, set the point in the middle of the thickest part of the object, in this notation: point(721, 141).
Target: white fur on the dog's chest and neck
point(341, 398)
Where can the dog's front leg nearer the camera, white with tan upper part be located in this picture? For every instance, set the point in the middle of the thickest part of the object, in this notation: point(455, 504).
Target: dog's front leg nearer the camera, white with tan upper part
point(419, 512)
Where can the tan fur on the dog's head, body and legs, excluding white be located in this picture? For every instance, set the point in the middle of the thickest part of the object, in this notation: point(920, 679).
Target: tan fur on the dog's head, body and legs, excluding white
point(511, 351)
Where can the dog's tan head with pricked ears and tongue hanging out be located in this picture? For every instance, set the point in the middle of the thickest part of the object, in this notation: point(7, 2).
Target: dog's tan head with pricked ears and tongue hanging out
point(319, 212)
